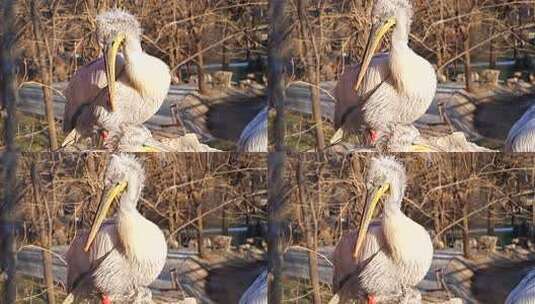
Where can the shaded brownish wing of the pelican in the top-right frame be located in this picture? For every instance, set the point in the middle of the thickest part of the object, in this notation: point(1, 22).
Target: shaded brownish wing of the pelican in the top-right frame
point(349, 102)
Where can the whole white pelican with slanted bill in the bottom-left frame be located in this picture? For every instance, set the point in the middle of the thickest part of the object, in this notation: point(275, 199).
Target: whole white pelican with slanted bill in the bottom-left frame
point(118, 258)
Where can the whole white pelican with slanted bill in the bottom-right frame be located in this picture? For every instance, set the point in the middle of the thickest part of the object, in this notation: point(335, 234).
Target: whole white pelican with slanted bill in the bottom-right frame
point(385, 258)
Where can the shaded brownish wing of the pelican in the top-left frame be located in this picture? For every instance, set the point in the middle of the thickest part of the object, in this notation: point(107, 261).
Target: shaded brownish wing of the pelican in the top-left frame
point(84, 87)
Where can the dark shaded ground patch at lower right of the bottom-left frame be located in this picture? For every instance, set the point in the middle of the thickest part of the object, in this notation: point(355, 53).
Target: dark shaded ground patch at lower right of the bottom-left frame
point(227, 283)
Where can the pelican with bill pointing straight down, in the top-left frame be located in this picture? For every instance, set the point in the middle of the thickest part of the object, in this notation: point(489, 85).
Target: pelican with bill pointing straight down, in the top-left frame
point(127, 87)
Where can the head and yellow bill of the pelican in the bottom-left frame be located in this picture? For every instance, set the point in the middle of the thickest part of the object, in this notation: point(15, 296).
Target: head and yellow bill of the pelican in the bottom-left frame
point(123, 170)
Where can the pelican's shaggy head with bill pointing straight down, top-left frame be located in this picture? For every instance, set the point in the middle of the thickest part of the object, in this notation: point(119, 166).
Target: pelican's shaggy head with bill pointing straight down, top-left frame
point(114, 29)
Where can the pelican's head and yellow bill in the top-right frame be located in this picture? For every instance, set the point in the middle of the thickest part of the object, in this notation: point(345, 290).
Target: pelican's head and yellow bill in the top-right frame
point(385, 15)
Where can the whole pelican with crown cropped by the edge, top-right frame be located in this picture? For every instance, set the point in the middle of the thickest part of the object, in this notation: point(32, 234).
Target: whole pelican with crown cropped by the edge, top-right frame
point(394, 88)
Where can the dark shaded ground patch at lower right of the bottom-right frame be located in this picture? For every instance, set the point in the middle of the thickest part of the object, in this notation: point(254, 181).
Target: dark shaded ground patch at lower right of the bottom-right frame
point(493, 284)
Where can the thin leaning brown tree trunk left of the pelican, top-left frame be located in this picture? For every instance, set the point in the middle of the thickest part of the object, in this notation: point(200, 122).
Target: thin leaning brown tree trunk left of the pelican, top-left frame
point(41, 42)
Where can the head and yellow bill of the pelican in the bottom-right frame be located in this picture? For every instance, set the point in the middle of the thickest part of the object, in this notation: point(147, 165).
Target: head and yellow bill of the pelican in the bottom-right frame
point(386, 176)
